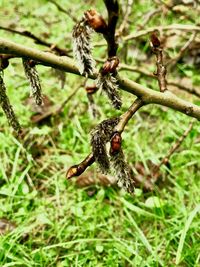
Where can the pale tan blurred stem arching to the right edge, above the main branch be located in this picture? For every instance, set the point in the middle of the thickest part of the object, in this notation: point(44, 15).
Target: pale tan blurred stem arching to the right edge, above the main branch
point(180, 27)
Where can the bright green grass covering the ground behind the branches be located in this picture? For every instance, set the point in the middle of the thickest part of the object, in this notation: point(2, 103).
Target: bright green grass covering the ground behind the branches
point(59, 224)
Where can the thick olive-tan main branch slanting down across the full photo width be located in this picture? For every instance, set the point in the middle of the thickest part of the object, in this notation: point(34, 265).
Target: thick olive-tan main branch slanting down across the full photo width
point(147, 95)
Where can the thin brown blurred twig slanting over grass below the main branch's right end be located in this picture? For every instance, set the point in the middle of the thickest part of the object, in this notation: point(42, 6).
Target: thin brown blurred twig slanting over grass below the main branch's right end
point(178, 143)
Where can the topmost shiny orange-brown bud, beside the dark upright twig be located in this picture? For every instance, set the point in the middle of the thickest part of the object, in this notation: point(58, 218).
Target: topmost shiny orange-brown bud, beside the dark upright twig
point(96, 21)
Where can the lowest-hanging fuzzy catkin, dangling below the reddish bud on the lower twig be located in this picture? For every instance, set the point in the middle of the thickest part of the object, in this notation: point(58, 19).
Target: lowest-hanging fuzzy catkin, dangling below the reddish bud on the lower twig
point(122, 172)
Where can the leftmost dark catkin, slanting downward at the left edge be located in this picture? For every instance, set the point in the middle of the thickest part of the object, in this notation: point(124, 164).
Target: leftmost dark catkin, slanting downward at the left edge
point(6, 106)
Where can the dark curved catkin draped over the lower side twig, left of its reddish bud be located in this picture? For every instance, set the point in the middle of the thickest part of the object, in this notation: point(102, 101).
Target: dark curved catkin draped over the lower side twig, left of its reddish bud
point(100, 135)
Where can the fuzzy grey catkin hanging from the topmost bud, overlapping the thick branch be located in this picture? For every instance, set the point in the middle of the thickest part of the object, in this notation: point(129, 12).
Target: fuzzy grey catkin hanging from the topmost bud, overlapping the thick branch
point(82, 47)
